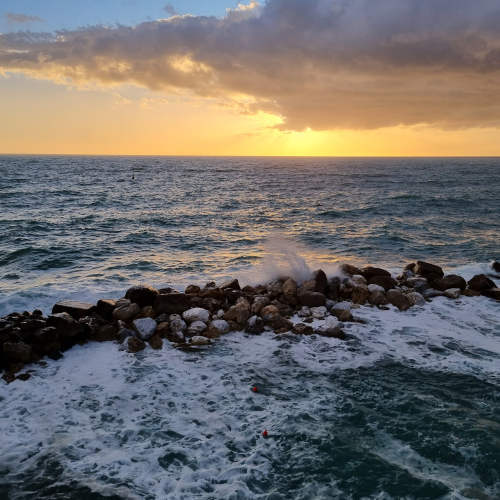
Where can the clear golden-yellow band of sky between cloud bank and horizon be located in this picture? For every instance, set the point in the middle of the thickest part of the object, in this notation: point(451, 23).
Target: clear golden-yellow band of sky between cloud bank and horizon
point(44, 117)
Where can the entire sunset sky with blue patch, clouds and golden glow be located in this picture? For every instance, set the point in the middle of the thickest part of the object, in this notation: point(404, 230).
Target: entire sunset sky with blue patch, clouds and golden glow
point(275, 77)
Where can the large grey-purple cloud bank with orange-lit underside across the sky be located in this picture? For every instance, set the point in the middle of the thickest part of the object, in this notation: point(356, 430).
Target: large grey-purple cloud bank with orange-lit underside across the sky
point(319, 64)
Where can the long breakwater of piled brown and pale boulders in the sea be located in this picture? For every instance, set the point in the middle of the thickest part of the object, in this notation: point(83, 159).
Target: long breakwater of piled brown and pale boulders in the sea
point(195, 318)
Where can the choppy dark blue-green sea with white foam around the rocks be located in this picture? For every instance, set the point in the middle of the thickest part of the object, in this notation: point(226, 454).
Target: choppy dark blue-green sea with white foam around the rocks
point(407, 408)
